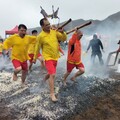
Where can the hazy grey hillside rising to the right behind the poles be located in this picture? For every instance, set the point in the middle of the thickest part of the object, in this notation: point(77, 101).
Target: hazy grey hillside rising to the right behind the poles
point(110, 25)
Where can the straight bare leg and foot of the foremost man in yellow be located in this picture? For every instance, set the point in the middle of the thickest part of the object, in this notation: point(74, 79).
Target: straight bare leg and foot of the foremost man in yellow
point(51, 84)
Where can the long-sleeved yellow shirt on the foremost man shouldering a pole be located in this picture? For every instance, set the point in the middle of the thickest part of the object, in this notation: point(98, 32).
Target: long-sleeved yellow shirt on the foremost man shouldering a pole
point(48, 42)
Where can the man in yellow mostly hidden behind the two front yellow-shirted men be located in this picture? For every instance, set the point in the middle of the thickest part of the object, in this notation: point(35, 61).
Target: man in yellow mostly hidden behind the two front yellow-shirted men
point(31, 52)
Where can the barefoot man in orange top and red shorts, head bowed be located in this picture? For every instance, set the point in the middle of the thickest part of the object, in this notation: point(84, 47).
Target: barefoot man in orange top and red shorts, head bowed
point(74, 57)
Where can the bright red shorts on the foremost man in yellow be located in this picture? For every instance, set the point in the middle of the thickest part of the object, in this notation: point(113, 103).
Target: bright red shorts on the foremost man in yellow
point(51, 66)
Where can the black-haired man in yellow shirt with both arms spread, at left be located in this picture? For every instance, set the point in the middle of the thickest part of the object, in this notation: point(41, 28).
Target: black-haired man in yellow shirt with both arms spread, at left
point(19, 53)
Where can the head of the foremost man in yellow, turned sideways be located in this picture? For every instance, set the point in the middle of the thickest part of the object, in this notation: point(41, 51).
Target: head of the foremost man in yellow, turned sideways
point(45, 24)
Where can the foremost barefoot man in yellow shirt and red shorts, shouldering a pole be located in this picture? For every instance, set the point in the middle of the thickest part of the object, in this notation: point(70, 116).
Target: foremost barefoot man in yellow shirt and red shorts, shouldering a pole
point(47, 40)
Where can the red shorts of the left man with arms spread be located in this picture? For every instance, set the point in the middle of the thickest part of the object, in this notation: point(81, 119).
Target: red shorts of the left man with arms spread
point(17, 63)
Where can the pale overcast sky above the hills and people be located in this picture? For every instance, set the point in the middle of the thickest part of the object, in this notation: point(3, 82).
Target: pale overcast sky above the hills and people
point(15, 12)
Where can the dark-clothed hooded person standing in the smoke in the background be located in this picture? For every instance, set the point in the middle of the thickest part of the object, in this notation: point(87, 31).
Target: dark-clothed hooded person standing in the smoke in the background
point(96, 44)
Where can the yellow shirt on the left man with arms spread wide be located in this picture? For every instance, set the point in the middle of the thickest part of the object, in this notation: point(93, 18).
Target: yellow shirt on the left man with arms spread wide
point(19, 46)
